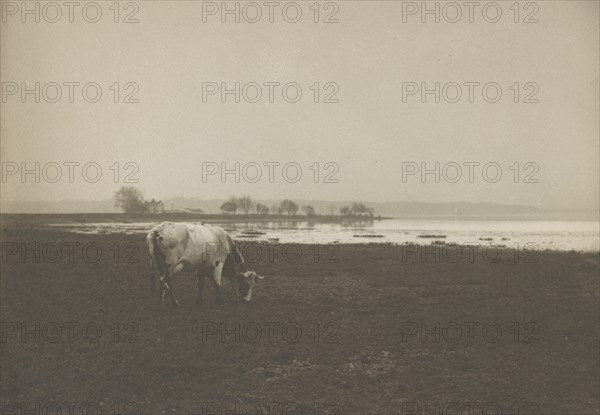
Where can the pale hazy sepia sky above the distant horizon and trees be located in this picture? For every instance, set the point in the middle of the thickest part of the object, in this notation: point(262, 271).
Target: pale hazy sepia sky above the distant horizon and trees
point(368, 134)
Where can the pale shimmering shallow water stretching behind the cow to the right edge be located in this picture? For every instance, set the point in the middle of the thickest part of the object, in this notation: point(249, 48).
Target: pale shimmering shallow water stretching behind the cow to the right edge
point(579, 236)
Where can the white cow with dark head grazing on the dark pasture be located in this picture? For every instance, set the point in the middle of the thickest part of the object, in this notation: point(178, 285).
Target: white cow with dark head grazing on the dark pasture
point(208, 250)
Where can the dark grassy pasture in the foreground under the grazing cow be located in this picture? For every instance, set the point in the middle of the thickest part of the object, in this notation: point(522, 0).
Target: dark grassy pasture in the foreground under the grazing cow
point(347, 329)
